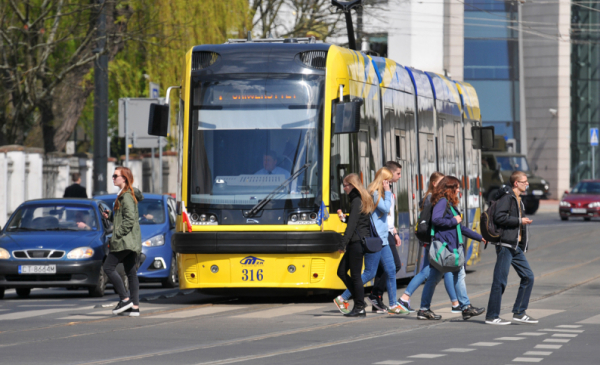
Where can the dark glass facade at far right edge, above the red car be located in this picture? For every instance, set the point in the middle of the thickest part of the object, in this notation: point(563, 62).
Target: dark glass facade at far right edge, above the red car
point(585, 87)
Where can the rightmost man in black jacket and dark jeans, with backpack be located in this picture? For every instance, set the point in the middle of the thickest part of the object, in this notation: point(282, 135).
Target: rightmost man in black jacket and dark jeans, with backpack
point(511, 251)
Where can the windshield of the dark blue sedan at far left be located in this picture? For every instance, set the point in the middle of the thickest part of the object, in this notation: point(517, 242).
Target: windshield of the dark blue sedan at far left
point(53, 218)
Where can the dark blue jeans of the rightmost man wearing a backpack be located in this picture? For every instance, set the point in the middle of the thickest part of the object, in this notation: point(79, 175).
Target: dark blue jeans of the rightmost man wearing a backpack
point(504, 258)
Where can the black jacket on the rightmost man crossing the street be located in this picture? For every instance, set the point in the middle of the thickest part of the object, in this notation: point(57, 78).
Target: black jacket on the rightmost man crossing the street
point(508, 218)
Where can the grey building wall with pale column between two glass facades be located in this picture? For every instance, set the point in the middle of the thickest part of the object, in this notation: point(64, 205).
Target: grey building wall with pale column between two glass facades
point(547, 86)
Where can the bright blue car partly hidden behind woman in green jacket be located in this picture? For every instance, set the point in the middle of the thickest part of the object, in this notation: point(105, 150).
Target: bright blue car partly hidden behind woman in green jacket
point(157, 223)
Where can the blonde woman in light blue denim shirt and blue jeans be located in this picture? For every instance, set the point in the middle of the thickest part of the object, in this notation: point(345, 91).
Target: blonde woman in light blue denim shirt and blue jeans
point(382, 197)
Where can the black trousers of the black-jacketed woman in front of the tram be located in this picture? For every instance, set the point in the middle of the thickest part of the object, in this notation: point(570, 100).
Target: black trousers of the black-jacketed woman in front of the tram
point(353, 260)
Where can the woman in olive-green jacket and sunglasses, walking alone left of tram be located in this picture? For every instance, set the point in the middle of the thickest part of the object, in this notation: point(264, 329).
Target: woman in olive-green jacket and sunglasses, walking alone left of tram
point(126, 242)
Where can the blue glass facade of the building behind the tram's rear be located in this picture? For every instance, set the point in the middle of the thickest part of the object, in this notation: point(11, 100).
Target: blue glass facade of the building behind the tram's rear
point(491, 62)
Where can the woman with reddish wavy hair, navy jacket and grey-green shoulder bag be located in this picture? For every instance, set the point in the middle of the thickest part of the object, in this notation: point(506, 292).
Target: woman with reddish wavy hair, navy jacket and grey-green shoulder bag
point(447, 228)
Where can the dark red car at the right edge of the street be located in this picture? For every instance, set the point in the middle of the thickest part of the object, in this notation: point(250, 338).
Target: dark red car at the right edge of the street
point(582, 202)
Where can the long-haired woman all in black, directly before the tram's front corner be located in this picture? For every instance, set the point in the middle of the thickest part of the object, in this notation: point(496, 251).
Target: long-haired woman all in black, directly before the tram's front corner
point(361, 206)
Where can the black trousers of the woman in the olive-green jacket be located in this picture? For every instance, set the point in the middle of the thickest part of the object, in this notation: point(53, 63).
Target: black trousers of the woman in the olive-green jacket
point(129, 260)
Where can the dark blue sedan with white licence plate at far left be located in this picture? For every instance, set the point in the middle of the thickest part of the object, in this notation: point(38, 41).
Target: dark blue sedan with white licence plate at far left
point(55, 243)
